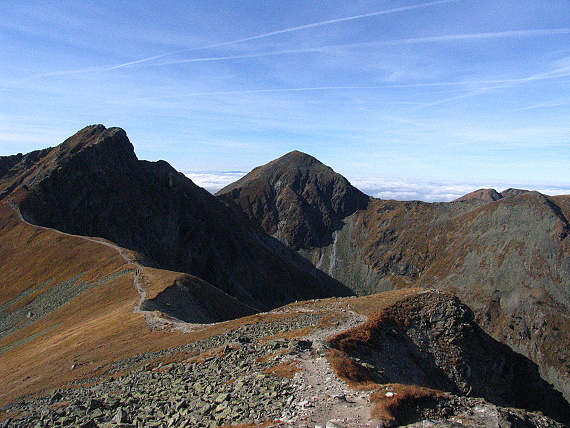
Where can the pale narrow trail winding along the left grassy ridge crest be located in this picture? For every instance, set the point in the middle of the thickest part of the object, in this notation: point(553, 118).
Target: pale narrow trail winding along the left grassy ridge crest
point(139, 281)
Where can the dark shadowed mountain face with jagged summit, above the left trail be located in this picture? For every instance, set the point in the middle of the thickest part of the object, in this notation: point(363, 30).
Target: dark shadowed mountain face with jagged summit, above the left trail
point(94, 185)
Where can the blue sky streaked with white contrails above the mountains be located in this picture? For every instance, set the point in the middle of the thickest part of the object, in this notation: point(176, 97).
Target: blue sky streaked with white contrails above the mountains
point(469, 91)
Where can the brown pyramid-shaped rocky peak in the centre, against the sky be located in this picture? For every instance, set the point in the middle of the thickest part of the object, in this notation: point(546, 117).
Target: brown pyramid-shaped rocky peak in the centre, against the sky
point(297, 199)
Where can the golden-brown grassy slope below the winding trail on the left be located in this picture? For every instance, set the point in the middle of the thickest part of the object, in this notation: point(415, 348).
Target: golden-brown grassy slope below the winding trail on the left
point(91, 330)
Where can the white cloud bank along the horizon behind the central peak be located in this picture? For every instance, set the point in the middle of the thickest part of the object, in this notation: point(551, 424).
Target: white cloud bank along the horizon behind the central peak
point(386, 188)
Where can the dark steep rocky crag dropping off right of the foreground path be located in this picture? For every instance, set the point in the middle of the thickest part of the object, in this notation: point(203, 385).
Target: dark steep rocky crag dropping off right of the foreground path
point(430, 339)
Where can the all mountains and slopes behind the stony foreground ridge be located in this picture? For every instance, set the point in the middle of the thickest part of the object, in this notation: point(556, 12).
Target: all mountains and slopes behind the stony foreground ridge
point(82, 222)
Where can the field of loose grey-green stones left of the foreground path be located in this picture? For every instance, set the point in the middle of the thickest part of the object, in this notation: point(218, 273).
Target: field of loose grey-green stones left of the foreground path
point(228, 380)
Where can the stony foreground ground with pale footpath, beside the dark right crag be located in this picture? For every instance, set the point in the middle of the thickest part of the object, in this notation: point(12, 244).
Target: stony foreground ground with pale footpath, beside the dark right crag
point(271, 373)
